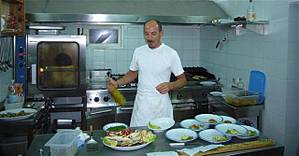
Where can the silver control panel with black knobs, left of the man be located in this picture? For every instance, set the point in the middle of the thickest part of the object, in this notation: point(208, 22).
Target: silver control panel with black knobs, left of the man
point(99, 98)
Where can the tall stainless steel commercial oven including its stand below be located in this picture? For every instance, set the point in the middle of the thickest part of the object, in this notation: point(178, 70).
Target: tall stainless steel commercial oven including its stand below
point(56, 71)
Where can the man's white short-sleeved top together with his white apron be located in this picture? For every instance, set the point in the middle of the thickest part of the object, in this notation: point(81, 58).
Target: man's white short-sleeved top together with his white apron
point(154, 67)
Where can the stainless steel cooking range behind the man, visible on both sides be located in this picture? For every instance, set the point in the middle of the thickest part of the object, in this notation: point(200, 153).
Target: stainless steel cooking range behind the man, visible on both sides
point(187, 102)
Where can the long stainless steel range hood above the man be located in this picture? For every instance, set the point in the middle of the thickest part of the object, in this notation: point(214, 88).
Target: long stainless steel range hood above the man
point(123, 11)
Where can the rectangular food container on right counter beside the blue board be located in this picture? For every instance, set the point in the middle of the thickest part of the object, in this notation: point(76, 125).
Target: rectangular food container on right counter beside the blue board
point(241, 98)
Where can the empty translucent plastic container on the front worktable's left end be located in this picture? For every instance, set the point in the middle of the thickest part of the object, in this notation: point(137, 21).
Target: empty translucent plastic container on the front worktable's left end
point(64, 143)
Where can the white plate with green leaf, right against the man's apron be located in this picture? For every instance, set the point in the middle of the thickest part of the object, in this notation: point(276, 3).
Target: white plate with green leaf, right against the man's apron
point(163, 123)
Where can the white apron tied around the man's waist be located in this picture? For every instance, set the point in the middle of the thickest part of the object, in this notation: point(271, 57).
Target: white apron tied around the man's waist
point(149, 106)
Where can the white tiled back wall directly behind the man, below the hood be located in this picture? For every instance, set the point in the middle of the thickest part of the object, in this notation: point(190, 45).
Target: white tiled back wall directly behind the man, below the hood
point(184, 39)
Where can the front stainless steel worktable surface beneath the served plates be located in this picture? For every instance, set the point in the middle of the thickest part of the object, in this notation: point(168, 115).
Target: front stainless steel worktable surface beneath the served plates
point(161, 144)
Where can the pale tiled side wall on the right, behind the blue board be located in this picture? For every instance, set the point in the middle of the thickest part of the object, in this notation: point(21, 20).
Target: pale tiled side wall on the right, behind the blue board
point(270, 54)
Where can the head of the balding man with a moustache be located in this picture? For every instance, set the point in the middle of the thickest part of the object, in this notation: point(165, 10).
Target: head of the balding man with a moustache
point(153, 33)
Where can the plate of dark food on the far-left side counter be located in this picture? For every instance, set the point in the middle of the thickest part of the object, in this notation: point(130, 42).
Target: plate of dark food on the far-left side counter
point(16, 114)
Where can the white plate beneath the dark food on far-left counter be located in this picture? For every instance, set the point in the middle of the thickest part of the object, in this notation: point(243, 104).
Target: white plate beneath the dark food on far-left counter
point(27, 110)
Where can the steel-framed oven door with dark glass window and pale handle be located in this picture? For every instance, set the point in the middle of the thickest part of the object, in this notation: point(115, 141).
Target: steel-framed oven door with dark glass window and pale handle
point(56, 65)
